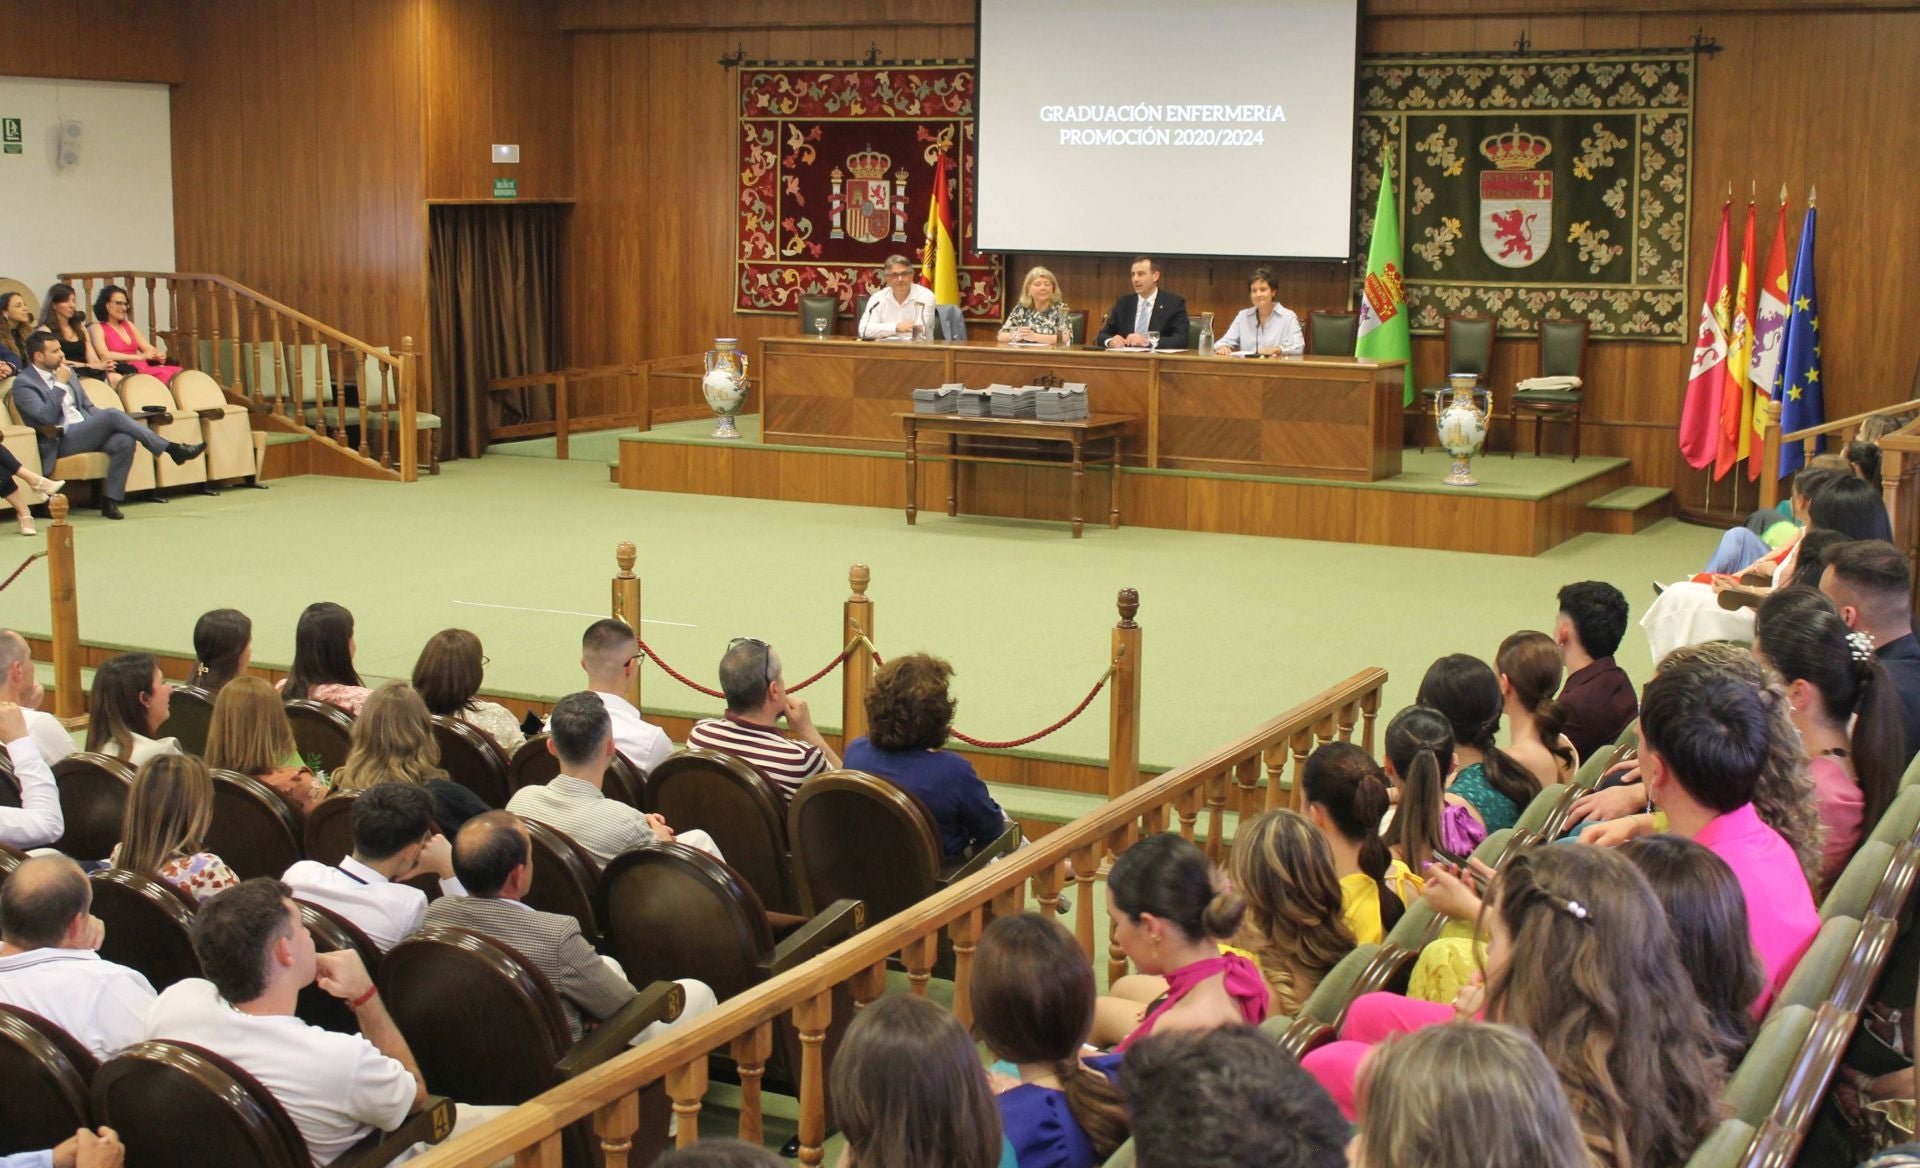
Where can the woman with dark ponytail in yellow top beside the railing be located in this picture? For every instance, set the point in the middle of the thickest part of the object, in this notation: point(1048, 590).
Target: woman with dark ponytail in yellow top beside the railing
point(1347, 800)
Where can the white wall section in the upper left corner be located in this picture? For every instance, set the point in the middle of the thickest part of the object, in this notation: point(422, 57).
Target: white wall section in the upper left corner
point(112, 210)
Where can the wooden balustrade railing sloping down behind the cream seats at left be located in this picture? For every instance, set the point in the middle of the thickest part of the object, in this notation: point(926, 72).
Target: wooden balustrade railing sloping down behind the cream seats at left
point(291, 370)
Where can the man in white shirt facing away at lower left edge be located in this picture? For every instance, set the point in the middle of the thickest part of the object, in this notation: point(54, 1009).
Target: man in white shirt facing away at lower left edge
point(51, 963)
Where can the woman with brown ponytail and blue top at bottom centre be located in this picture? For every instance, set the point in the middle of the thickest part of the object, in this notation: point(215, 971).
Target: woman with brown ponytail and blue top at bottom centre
point(1034, 1002)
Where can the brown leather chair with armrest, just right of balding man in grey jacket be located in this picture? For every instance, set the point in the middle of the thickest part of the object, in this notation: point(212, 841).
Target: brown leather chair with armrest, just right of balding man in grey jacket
point(673, 912)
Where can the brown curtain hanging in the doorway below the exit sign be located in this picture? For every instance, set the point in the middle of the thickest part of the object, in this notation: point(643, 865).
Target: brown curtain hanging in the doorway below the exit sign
point(494, 280)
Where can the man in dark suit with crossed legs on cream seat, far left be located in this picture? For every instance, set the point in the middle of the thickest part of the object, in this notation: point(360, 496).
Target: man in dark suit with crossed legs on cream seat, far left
point(49, 395)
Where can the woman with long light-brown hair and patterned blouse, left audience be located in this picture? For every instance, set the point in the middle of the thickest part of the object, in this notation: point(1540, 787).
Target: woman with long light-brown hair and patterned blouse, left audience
point(168, 814)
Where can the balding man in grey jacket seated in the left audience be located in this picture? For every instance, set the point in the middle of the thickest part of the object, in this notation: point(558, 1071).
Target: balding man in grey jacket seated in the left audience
point(494, 862)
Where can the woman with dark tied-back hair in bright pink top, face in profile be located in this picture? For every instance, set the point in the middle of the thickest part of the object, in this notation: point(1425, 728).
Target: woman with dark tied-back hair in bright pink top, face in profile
point(1170, 917)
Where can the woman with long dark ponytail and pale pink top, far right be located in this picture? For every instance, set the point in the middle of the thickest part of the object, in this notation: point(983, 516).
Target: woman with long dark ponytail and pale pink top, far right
point(1835, 679)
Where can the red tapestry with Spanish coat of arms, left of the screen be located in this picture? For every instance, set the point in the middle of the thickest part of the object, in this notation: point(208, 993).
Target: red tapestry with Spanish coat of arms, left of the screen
point(836, 174)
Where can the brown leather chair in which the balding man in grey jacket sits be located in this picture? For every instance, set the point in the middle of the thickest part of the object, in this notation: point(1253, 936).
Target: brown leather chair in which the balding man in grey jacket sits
point(487, 1027)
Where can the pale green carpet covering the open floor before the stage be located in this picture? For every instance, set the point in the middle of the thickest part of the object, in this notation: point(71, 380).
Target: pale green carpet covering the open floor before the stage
point(521, 550)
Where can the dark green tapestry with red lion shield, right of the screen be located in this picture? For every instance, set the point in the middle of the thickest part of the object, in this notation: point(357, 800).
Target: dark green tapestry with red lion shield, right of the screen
point(1535, 187)
